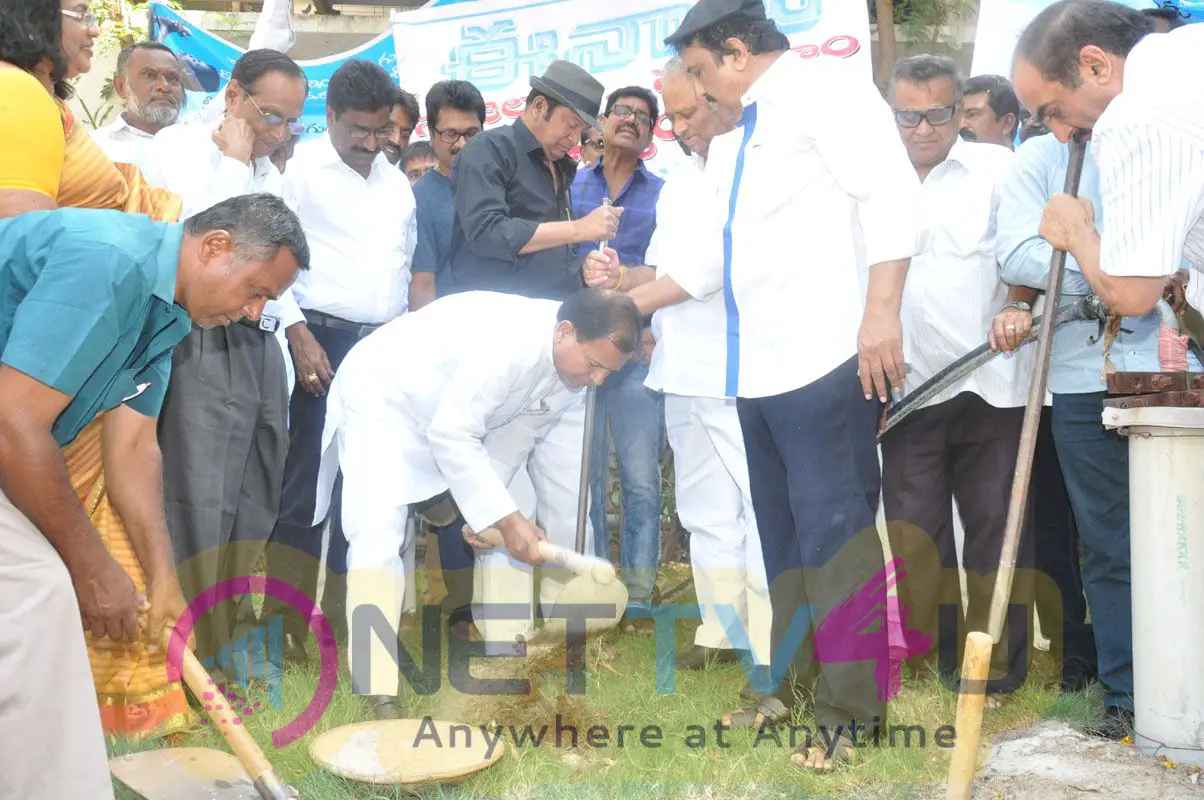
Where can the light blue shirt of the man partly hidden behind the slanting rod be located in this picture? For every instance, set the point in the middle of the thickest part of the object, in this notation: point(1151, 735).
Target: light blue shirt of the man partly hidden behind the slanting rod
point(1078, 362)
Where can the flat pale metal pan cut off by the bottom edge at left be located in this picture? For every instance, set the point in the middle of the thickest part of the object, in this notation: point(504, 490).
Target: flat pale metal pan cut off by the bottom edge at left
point(185, 774)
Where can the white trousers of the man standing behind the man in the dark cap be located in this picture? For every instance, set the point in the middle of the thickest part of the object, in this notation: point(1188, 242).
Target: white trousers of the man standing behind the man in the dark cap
point(715, 504)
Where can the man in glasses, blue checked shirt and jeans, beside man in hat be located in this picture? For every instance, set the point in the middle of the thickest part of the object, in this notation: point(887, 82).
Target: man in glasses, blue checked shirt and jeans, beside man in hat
point(634, 414)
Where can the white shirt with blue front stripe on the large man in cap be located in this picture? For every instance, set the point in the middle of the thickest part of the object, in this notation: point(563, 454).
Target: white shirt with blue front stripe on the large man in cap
point(810, 191)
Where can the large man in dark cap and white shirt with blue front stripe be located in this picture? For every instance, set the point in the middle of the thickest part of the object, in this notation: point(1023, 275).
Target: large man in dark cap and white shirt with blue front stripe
point(808, 199)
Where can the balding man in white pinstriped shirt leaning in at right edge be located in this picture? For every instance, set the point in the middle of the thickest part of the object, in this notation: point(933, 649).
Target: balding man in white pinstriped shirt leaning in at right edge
point(1090, 67)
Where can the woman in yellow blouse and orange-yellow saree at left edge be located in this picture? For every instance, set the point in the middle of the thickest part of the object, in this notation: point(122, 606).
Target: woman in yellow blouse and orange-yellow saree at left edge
point(137, 701)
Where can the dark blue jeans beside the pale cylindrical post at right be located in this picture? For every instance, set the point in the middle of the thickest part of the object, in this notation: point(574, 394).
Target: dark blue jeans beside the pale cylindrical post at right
point(1095, 463)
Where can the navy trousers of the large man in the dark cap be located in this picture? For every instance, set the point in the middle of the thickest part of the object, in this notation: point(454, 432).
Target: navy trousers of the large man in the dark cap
point(813, 469)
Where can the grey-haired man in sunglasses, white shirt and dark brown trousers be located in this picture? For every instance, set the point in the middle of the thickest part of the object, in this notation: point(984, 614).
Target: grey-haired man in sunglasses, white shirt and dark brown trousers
point(963, 444)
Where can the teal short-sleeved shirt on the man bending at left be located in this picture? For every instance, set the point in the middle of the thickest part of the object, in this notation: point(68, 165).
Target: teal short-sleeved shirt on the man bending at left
point(87, 307)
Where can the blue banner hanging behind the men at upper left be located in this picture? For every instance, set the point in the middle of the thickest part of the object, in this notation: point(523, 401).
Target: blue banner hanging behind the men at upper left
point(209, 61)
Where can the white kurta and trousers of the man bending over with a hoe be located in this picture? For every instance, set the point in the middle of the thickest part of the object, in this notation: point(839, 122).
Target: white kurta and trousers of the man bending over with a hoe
point(462, 396)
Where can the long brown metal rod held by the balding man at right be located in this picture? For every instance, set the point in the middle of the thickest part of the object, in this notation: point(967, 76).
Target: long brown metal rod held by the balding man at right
point(1024, 474)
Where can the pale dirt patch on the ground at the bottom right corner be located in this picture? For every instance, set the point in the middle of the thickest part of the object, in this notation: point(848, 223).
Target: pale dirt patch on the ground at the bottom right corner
point(1052, 761)
